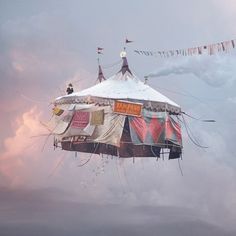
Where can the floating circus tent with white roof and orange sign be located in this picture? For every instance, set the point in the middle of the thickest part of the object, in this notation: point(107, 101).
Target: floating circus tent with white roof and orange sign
point(120, 116)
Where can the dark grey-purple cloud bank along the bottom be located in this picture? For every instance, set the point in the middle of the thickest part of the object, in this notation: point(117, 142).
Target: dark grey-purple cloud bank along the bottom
point(51, 212)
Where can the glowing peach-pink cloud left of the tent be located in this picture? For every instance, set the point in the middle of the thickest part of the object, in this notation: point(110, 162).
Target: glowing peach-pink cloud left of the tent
point(21, 147)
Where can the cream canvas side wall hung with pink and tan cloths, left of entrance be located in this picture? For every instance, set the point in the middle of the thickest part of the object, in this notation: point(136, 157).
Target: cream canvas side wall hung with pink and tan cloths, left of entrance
point(100, 126)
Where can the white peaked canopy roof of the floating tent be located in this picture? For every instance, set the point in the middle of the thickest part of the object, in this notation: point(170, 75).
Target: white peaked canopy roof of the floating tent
point(122, 86)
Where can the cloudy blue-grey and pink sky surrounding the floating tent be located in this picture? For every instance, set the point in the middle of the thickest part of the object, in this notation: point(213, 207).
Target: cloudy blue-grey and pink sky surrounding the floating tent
point(46, 44)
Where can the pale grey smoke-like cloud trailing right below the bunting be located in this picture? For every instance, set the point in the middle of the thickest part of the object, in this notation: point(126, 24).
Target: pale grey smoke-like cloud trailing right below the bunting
point(216, 71)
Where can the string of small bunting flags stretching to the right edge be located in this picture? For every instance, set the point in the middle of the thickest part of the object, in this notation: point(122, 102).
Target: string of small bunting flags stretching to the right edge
point(210, 49)
